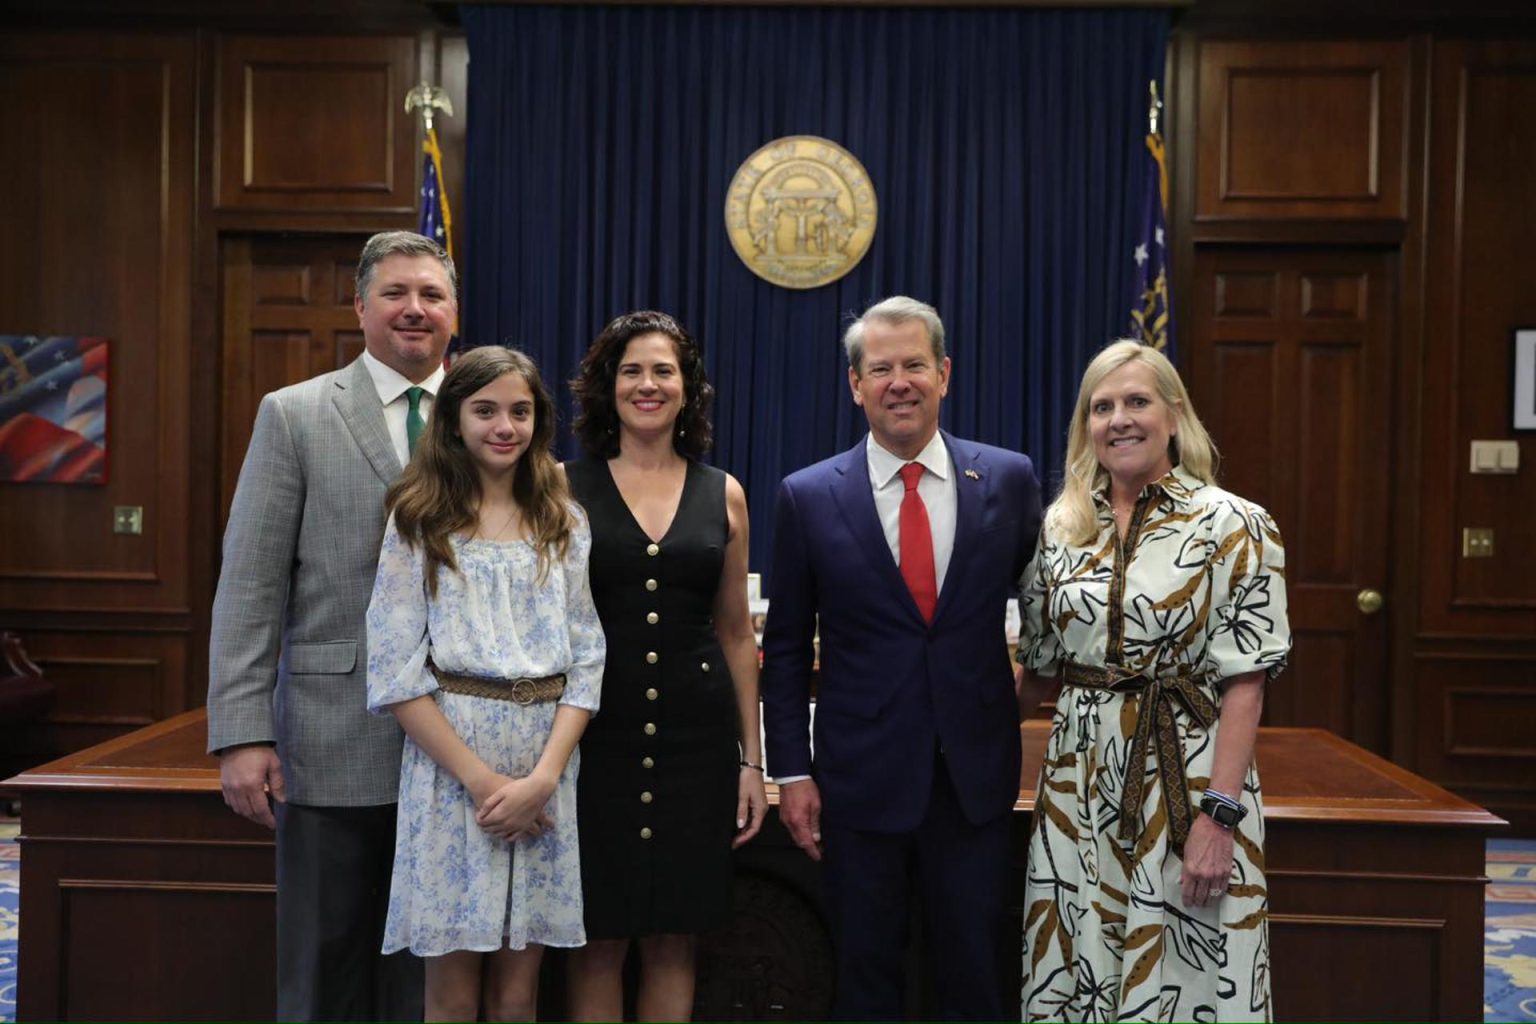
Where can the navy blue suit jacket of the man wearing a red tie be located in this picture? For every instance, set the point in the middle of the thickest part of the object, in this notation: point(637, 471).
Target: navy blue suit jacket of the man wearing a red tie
point(892, 687)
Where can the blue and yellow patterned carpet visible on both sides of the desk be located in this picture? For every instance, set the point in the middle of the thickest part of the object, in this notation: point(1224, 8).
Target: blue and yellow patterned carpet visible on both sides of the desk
point(1509, 948)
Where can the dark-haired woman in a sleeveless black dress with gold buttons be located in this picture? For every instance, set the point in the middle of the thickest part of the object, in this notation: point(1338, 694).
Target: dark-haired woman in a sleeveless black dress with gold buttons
point(672, 767)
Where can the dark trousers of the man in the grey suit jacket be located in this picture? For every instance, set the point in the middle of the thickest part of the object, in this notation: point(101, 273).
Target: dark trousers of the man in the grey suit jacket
point(334, 873)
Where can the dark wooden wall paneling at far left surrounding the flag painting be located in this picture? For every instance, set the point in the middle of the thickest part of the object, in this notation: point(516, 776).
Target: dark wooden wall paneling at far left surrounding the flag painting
point(105, 199)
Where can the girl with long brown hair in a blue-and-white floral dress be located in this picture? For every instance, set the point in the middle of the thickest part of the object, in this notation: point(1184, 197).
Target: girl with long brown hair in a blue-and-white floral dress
point(486, 646)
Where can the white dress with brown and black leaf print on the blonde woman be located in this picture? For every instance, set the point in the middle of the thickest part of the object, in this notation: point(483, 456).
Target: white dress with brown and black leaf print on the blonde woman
point(1144, 632)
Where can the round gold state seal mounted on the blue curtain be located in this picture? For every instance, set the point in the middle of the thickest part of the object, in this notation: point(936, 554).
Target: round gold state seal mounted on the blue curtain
point(801, 213)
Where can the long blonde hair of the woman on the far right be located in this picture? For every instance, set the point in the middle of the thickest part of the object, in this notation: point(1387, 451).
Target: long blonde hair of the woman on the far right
point(1071, 515)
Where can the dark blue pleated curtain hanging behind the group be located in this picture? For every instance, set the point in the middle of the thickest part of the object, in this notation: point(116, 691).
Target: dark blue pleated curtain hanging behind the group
point(1005, 148)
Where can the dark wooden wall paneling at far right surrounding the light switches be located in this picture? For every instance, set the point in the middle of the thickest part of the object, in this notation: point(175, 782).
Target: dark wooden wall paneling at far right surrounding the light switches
point(1474, 667)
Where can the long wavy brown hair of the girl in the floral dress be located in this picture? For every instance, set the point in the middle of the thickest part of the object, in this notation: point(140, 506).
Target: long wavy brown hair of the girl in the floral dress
point(439, 494)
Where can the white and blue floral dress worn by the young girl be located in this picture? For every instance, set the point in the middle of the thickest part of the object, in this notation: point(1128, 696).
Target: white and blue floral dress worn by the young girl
point(455, 887)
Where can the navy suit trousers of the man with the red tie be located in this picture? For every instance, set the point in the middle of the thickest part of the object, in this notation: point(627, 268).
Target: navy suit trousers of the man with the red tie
point(959, 873)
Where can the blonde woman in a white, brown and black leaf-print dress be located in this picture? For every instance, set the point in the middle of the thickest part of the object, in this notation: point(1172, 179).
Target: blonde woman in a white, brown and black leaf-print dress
point(1157, 604)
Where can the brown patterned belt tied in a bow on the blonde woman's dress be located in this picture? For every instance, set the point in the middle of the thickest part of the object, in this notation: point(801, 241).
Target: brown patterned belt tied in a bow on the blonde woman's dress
point(1156, 715)
